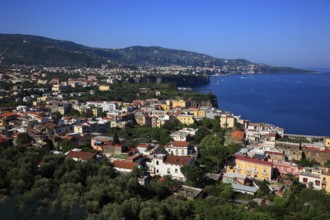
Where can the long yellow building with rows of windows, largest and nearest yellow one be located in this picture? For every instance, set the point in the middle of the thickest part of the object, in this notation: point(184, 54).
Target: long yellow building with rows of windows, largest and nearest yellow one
point(251, 167)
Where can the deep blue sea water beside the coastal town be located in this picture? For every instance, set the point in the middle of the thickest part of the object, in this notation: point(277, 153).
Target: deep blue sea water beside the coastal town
point(300, 103)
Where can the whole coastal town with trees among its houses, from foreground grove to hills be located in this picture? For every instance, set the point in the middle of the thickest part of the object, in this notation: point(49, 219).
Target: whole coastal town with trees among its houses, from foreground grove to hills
point(73, 113)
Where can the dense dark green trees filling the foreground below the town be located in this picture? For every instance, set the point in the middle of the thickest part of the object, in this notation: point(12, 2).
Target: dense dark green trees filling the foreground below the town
point(60, 188)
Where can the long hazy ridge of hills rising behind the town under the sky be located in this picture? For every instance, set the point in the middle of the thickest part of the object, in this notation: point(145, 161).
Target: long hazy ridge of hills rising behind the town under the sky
point(35, 50)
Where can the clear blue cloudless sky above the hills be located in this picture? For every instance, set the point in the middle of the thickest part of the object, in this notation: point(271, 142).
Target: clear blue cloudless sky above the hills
point(278, 32)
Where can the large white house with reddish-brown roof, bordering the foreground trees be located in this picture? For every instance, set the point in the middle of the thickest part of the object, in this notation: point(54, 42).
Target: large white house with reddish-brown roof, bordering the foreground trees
point(163, 165)
